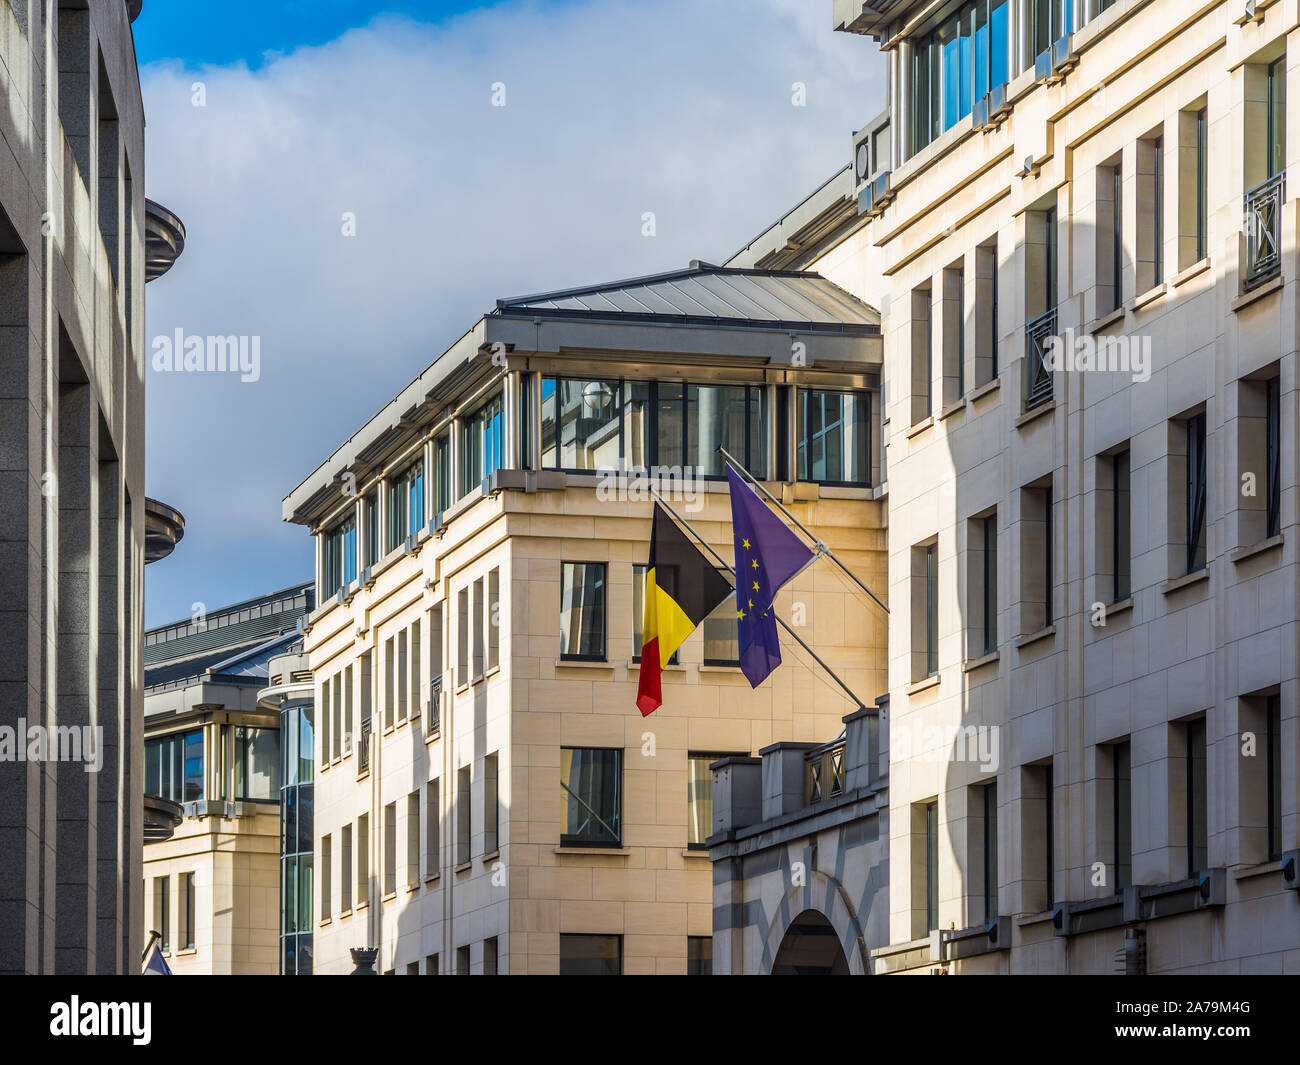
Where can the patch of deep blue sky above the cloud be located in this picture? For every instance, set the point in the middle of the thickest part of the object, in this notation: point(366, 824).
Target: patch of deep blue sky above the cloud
point(205, 32)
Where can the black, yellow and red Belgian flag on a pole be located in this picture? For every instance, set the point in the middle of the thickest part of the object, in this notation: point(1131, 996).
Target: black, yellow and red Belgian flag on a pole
point(683, 588)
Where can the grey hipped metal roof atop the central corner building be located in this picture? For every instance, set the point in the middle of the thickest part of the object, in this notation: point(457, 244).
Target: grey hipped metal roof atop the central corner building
point(712, 296)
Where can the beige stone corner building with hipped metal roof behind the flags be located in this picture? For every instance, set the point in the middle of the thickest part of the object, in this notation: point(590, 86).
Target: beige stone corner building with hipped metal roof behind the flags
point(488, 798)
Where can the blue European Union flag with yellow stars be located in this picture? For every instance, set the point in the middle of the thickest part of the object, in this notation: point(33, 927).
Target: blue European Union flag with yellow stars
point(768, 555)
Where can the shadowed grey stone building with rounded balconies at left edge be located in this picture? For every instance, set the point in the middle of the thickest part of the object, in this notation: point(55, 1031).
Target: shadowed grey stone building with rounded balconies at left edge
point(77, 244)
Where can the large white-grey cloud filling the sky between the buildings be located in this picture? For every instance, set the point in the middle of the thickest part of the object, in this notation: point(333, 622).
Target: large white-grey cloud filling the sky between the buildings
point(614, 109)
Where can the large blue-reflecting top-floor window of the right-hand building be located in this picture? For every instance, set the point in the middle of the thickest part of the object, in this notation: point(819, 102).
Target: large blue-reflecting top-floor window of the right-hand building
point(955, 64)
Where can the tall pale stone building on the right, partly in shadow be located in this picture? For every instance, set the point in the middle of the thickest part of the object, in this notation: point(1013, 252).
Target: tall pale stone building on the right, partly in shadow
point(1094, 642)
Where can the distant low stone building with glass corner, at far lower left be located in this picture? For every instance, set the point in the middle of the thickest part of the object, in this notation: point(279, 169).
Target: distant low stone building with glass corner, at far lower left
point(220, 887)
